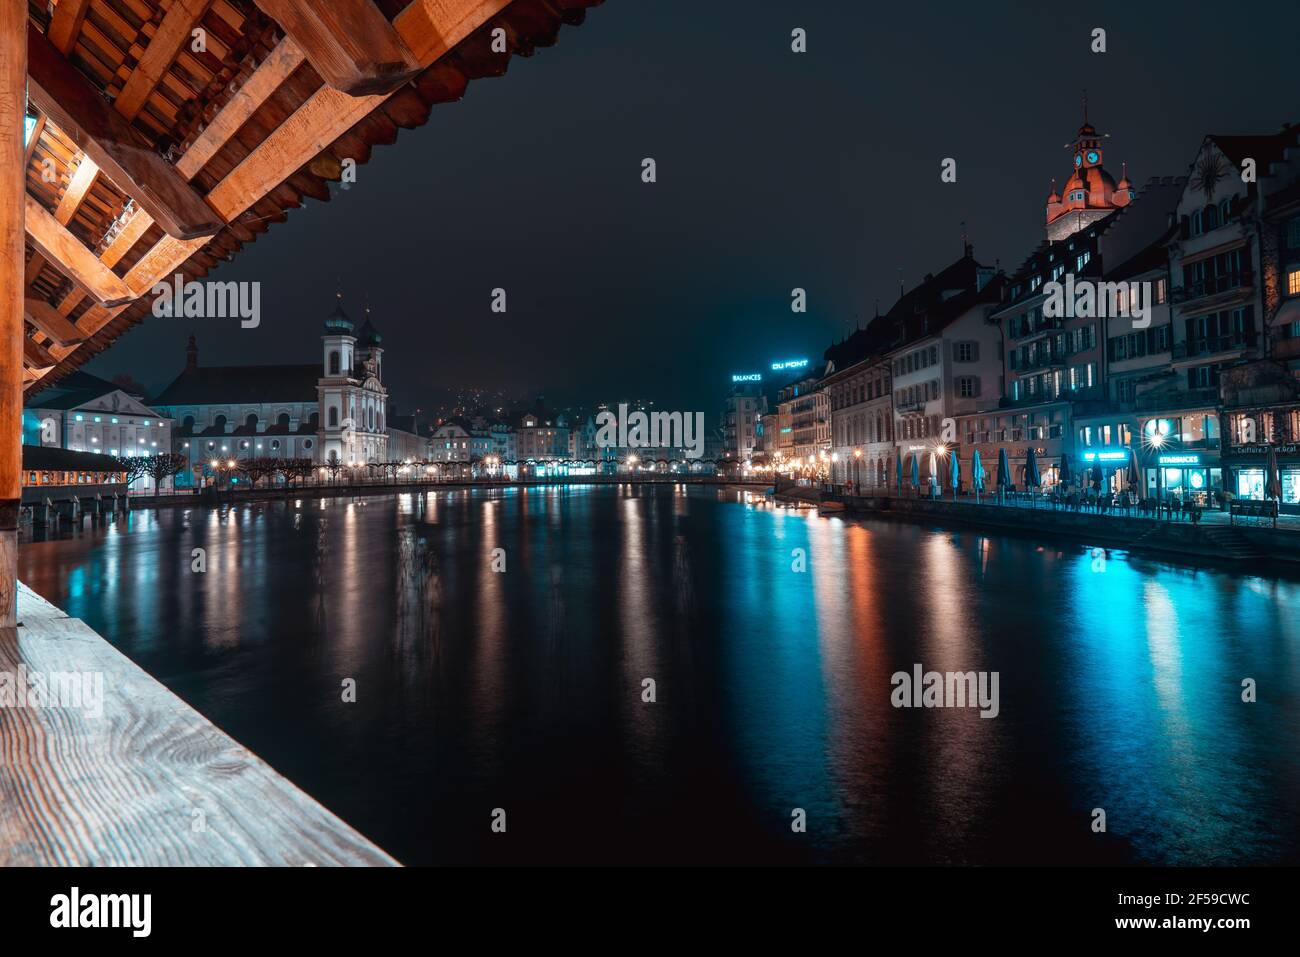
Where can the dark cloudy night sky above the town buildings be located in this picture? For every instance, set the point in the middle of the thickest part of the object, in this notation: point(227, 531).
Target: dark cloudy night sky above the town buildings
point(774, 171)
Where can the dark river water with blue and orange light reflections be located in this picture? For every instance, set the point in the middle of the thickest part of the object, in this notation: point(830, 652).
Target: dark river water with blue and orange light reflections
point(1120, 685)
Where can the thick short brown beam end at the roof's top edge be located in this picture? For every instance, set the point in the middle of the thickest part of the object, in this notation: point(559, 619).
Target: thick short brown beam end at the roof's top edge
point(349, 42)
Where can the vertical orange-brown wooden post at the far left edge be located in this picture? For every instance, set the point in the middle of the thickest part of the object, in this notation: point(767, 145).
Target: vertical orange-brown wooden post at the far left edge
point(14, 109)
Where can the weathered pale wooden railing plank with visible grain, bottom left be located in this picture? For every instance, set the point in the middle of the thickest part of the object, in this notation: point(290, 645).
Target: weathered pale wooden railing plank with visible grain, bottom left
point(127, 787)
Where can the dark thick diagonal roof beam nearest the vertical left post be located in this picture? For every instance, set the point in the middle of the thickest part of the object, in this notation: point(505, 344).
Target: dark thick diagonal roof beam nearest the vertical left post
point(124, 157)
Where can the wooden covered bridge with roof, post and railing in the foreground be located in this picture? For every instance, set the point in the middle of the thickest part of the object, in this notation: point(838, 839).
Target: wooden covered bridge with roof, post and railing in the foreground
point(148, 138)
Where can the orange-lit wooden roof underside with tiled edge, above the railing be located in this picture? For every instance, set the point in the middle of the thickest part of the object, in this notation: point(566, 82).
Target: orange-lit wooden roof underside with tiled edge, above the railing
point(203, 151)
